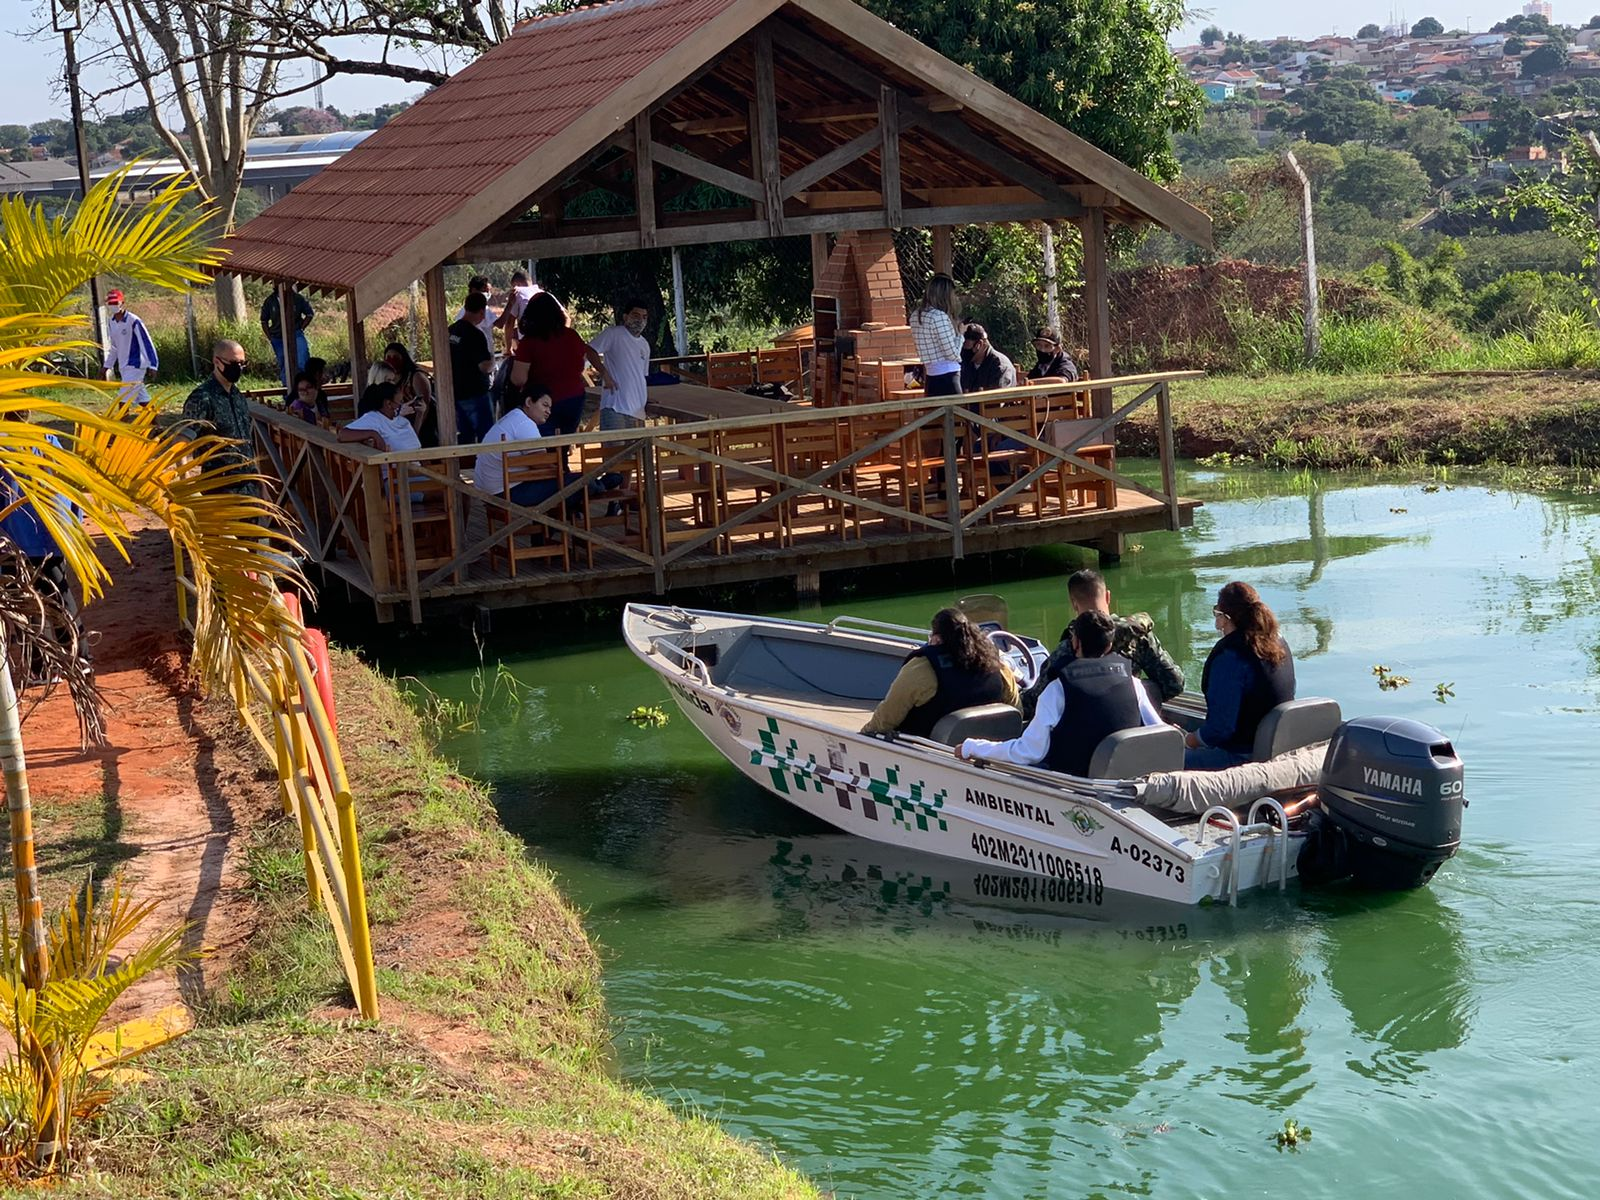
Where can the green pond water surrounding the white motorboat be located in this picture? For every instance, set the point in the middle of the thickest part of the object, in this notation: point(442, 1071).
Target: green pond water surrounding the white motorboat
point(894, 1036)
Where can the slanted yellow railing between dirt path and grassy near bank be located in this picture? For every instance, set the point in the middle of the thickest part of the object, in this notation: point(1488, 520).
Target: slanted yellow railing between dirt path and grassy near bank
point(298, 737)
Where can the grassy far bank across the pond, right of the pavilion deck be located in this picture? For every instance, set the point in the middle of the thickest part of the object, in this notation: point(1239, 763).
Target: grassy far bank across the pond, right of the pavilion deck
point(1361, 420)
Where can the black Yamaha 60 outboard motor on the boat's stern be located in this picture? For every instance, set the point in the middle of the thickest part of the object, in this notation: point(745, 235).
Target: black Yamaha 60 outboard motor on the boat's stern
point(1393, 799)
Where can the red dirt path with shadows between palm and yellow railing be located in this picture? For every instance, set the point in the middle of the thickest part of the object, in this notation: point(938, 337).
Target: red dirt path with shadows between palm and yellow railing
point(177, 772)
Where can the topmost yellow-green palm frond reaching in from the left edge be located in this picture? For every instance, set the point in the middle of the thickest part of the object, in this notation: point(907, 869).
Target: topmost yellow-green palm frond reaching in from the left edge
point(46, 260)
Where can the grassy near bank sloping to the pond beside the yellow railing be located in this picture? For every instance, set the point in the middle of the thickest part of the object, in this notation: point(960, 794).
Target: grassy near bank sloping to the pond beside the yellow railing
point(489, 1076)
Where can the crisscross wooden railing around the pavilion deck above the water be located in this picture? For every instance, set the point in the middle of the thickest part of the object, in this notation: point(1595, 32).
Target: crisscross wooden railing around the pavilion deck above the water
point(409, 527)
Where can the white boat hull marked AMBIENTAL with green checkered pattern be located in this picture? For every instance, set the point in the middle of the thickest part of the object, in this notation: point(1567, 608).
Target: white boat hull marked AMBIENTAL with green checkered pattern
point(1082, 839)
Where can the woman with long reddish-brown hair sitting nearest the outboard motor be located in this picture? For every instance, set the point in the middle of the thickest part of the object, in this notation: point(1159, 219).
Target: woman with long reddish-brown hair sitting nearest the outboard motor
point(1249, 673)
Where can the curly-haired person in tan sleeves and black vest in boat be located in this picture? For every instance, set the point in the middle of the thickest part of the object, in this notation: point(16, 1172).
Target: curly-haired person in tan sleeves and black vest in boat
point(956, 670)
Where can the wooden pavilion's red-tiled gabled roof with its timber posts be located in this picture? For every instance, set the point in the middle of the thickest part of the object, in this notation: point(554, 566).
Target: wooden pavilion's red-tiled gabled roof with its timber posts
point(810, 116)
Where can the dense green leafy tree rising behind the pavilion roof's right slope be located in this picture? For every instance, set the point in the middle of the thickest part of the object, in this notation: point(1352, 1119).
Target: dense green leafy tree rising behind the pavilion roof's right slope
point(1103, 70)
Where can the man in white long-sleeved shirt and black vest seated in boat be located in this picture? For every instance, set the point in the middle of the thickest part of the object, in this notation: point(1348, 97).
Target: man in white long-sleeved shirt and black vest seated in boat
point(1094, 697)
